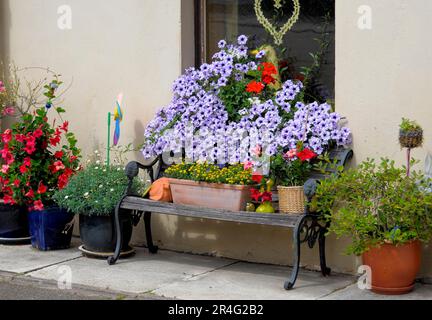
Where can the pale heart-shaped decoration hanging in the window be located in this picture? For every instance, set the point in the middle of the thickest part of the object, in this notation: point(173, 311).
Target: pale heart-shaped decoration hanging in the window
point(278, 35)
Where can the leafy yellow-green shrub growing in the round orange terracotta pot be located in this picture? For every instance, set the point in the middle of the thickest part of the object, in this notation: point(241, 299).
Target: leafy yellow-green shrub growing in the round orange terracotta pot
point(376, 204)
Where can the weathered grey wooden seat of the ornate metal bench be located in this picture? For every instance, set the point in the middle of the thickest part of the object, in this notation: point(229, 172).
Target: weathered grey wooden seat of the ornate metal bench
point(141, 204)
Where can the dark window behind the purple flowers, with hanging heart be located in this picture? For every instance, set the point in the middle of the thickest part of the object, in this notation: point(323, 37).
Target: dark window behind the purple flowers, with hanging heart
point(312, 34)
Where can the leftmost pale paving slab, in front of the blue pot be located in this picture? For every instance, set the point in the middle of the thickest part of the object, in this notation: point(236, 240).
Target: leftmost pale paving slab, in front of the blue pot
point(23, 259)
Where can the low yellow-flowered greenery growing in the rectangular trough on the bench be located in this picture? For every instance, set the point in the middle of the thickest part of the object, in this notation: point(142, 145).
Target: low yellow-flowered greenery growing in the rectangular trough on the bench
point(211, 173)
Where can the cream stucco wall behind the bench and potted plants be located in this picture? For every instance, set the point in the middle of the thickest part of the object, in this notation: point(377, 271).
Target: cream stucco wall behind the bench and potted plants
point(136, 46)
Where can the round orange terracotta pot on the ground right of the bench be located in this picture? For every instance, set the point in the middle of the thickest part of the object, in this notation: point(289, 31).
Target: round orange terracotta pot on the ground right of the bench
point(394, 268)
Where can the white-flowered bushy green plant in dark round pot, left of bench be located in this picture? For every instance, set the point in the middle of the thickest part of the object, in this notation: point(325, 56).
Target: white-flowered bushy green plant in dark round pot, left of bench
point(93, 193)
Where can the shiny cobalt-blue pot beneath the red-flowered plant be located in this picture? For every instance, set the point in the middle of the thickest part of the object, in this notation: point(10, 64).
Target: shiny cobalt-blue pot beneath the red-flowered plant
point(49, 229)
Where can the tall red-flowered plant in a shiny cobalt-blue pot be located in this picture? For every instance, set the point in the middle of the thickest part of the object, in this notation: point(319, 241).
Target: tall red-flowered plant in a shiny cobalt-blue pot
point(36, 163)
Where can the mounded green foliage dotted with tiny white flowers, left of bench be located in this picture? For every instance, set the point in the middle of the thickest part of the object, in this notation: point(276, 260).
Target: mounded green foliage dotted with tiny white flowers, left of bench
point(95, 190)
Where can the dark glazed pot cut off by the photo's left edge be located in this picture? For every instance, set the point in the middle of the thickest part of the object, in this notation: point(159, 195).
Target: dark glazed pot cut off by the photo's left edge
point(13, 225)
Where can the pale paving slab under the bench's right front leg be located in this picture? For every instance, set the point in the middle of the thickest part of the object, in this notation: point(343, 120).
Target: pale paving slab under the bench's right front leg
point(246, 281)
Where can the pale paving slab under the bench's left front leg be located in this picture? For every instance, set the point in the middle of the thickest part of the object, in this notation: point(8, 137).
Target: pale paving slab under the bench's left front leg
point(142, 273)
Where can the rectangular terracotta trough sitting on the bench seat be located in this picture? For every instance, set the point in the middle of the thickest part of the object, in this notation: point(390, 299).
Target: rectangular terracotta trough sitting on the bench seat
point(210, 195)
